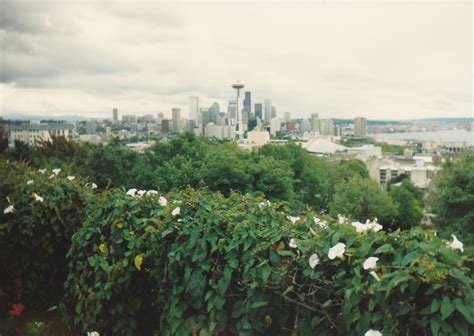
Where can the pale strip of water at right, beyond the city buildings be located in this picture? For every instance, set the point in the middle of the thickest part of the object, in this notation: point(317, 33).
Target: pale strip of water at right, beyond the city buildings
point(441, 136)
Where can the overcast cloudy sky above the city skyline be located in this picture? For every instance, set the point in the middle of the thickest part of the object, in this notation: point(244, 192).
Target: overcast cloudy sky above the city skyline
point(340, 59)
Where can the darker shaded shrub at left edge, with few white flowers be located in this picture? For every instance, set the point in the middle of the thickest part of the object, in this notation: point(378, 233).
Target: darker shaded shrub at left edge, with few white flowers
point(37, 220)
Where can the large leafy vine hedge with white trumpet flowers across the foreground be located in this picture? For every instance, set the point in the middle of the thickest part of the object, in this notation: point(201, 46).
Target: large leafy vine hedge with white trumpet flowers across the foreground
point(238, 265)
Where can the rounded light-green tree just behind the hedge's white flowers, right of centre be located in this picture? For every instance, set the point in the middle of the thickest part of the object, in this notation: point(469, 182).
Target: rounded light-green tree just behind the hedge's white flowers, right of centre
point(363, 199)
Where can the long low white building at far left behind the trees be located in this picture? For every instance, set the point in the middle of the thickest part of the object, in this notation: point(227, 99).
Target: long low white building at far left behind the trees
point(34, 133)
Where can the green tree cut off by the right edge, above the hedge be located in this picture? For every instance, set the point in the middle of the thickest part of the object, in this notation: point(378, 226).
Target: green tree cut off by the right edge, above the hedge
point(452, 199)
